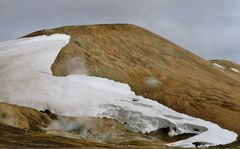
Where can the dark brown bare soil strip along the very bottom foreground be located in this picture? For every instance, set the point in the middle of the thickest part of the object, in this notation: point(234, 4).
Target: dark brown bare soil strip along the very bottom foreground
point(15, 138)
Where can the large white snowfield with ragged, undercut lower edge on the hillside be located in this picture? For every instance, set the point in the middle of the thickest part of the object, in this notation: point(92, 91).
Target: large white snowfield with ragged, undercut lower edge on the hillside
point(26, 79)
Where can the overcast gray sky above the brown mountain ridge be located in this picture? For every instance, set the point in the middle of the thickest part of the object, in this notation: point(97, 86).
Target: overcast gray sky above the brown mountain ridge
point(209, 28)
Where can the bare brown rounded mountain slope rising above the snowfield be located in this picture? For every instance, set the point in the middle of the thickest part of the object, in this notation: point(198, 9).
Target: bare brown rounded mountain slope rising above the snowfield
point(153, 67)
